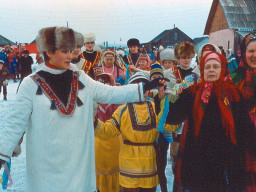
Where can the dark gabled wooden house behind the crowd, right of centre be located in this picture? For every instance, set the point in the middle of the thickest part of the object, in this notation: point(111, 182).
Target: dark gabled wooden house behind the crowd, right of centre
point(168, 38)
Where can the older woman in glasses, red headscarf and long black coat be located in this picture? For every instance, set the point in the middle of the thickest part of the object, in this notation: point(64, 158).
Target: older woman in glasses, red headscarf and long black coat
point(217, 134)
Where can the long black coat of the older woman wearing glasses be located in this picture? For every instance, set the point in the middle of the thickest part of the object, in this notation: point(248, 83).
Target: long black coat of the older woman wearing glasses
point(212, 162)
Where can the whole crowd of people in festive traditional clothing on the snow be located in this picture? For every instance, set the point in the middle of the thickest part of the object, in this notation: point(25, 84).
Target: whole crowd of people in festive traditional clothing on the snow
point(108, 118)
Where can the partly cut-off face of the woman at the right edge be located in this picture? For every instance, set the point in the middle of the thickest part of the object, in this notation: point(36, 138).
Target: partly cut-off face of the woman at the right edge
point(250, 54)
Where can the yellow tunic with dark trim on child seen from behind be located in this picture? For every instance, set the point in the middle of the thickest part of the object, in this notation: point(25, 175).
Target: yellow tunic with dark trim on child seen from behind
point(138, 125)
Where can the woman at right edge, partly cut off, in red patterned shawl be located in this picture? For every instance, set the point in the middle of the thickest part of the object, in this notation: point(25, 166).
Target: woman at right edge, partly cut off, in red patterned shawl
point(245, 78)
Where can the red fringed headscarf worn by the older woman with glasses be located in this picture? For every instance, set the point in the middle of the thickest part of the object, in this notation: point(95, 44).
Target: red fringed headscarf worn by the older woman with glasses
point(225, 92)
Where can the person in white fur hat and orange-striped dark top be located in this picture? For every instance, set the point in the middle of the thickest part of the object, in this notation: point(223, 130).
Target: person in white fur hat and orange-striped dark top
point(91, 57)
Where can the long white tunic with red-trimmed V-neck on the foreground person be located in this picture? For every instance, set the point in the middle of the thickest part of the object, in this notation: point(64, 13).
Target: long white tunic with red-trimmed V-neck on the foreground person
point(59, 147)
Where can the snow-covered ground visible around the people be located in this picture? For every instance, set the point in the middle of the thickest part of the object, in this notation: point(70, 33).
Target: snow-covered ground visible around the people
point(19, 163)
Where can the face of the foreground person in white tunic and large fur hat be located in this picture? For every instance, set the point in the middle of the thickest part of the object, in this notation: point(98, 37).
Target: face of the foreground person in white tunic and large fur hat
point(60, 59)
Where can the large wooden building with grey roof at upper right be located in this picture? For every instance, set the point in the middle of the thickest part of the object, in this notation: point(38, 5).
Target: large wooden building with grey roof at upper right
point(229, 21)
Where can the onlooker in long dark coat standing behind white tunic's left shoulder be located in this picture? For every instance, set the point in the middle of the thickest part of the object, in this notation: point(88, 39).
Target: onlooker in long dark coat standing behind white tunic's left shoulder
point(25, 63)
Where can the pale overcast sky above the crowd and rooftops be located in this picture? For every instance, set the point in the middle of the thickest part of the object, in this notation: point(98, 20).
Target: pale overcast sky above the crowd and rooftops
point(110, 20)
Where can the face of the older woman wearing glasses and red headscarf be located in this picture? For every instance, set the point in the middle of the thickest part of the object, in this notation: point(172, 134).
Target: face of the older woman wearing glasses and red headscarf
point(212, 70)
